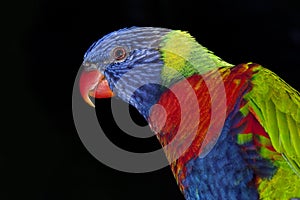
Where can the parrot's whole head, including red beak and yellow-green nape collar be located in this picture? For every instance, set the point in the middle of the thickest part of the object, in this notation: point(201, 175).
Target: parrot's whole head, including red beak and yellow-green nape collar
point(137, 64)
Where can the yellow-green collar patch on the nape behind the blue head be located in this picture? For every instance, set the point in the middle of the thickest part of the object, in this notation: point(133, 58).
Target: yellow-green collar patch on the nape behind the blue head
point(183, 56)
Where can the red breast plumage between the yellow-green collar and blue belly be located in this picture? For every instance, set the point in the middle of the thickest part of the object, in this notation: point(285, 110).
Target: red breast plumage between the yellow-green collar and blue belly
point(236, 83)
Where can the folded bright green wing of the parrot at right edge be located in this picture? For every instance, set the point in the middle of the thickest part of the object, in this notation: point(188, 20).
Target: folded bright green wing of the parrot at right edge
point(276, 105)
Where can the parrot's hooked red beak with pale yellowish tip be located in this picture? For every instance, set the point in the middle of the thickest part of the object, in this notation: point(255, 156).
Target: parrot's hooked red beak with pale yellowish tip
point(93, 83)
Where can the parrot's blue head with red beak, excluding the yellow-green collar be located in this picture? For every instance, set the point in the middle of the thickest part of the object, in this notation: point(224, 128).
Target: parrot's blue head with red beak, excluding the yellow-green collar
point(127, 62)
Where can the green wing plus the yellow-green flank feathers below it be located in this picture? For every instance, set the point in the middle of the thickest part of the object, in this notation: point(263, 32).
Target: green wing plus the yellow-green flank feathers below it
point(276, 106)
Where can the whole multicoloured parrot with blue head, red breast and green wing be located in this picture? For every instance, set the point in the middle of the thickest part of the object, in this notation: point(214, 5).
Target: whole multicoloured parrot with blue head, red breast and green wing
point(231, 131)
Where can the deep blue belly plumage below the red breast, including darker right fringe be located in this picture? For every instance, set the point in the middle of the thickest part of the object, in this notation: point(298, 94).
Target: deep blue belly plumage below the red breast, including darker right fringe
point(227, 172)
